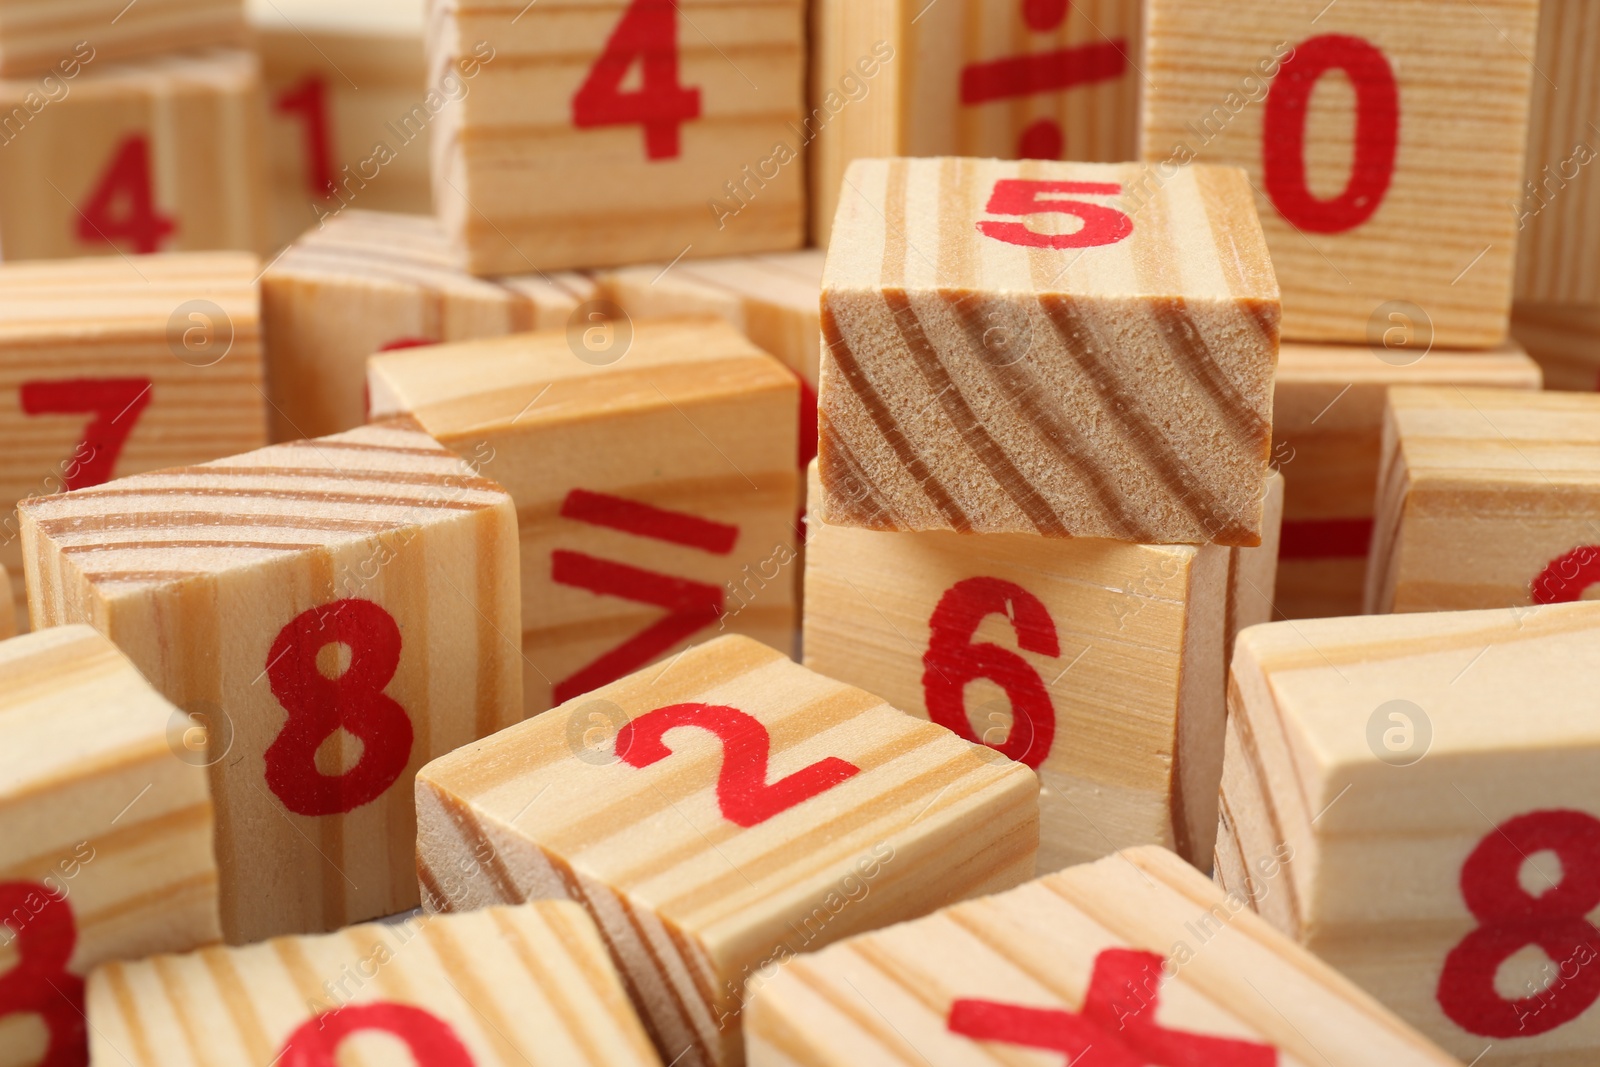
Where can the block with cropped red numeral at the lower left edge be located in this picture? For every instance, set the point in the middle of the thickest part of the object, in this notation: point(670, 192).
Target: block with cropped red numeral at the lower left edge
point(106, 852)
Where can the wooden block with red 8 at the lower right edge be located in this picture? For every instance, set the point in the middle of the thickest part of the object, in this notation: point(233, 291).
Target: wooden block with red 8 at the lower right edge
point(1425, 818)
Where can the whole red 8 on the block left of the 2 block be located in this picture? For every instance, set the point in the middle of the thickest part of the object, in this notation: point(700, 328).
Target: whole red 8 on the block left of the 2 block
point(319, 706)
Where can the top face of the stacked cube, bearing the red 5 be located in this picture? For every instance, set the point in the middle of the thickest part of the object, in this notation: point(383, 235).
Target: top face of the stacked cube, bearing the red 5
point(1073, 230)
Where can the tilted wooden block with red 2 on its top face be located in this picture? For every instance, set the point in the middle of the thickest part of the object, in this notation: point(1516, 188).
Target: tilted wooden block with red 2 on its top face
point(719, 813)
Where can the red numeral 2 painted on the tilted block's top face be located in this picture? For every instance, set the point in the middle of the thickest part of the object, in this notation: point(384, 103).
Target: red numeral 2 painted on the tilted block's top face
point(743, 793)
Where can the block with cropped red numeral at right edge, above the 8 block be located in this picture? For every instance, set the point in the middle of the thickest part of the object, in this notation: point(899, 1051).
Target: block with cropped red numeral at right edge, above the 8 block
point(1487, 498)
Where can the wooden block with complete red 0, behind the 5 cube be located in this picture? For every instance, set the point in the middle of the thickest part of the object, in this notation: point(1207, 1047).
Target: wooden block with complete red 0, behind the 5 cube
point(1418, 210)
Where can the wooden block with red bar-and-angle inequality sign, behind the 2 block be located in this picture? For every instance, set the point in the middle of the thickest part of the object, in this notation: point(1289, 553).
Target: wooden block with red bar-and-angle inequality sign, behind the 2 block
point(655, 484)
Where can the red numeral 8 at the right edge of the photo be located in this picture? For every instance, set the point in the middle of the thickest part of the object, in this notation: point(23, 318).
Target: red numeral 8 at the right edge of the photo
point(1511, 917)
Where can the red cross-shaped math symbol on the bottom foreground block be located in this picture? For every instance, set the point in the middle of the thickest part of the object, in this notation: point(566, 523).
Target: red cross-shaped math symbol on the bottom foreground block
point(1108, 1034)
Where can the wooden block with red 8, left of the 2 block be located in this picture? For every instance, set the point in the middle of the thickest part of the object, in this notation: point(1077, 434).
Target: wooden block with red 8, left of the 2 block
point(231, 585)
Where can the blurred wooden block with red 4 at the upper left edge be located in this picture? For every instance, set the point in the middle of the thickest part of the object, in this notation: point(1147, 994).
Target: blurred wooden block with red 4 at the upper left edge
point(159, 156)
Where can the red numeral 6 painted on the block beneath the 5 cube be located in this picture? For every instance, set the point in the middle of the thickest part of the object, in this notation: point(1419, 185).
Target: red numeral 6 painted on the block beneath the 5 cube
point(953, 661)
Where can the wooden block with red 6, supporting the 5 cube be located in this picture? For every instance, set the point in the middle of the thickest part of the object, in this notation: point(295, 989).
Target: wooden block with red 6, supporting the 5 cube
point(1127, 653)
